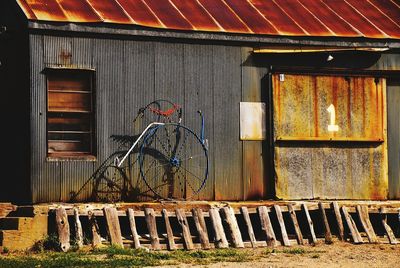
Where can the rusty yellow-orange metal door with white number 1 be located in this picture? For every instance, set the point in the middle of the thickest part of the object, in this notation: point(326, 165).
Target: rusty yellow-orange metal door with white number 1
point(329, 137)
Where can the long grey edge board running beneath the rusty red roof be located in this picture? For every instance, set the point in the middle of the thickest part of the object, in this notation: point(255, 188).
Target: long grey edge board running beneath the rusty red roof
point(138, 31)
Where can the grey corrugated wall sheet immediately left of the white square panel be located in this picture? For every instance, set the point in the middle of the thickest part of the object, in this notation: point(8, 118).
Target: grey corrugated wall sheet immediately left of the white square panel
point(227, 147)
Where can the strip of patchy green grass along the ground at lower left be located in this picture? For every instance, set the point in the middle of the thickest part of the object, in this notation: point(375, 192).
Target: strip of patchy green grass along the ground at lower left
point(119, 257)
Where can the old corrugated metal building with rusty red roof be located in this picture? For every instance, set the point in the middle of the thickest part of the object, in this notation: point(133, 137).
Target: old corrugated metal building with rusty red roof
point(300, 98)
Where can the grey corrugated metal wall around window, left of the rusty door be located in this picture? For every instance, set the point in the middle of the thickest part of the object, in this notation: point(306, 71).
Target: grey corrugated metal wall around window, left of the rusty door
point(130, 74)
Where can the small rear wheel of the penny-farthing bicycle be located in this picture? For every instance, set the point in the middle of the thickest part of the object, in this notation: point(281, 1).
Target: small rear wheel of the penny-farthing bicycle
point(111, 185)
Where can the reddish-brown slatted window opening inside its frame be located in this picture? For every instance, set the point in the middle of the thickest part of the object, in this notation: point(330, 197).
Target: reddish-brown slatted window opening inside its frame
point(69, 115)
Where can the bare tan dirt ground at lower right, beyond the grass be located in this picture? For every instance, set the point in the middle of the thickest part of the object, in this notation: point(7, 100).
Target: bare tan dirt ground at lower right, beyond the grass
point(339, 254)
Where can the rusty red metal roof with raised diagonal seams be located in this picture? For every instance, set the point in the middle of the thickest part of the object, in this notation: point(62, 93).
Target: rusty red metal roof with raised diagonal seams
point(336, 18)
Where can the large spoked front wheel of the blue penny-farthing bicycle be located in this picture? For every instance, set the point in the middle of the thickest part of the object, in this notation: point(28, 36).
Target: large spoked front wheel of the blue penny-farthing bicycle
point(173, 162)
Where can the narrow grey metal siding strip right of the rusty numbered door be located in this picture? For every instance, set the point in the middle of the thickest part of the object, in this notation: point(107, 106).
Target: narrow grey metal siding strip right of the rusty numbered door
point(393, 101)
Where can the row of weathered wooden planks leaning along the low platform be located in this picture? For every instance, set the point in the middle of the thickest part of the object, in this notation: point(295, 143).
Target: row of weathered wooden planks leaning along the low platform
point(224, 227)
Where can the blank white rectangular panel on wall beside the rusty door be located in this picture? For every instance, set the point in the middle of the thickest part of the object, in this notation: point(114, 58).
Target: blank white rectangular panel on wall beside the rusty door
point(252, 121)
